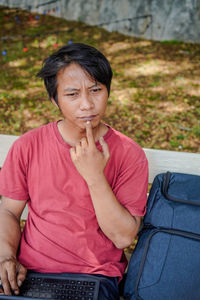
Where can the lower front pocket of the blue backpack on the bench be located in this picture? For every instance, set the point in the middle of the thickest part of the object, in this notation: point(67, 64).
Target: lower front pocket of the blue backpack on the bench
point(168, 262)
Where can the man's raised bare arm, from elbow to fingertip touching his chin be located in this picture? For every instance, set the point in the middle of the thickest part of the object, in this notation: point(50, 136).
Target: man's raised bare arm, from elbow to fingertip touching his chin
point(115, 220)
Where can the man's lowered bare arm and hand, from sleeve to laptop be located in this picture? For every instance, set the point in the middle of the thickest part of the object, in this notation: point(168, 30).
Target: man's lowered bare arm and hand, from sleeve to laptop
point(12, 273)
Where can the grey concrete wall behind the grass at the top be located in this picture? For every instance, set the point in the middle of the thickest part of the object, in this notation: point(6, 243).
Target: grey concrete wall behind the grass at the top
point(149, 19)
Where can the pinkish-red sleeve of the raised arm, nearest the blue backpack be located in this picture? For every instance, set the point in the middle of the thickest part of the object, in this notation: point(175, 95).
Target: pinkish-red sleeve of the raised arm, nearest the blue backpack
point(132, 184)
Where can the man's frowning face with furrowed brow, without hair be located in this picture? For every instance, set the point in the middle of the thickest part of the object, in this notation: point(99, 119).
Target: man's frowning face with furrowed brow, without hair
point(80, 98)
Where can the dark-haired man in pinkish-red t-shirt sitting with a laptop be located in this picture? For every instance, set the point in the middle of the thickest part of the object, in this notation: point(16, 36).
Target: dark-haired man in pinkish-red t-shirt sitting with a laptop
point(85, 183)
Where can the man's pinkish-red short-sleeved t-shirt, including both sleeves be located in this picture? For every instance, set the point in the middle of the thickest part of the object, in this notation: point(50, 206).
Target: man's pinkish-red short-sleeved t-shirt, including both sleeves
point(62, 233)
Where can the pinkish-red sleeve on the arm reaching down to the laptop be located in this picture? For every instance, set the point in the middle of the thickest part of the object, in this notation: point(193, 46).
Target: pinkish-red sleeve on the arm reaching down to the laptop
point(13, 175)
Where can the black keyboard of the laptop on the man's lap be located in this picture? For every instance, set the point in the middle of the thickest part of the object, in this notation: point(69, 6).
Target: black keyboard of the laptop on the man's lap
point(48, 288)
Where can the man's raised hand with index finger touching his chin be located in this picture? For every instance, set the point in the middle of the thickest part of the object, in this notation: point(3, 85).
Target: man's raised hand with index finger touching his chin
point(88, 160)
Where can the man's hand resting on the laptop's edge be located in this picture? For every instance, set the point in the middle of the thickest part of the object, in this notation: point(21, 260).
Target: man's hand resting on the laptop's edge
point(12, 275)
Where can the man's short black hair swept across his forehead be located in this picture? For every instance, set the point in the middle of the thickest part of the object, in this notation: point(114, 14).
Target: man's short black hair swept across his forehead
point(88, 57)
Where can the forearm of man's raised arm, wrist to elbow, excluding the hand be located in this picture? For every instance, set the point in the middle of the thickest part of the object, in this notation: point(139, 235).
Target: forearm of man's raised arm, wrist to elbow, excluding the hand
point(115, 220)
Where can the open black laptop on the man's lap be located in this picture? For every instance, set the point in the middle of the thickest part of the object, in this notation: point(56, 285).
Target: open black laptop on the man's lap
point(57, 286)
